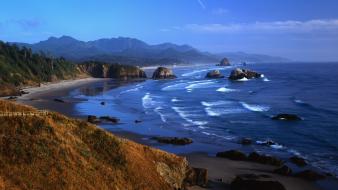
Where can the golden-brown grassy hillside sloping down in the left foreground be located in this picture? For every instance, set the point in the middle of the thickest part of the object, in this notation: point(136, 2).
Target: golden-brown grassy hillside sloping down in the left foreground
point(57, 152)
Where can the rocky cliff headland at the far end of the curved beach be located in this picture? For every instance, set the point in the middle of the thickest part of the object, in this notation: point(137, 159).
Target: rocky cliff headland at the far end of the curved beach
point(116, 71)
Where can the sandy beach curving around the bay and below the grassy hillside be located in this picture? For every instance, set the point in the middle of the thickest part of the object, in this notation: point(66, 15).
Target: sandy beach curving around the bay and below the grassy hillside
point(218, 168)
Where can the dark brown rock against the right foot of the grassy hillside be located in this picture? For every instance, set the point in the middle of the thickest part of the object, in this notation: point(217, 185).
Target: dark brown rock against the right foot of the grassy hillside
point(197, 176)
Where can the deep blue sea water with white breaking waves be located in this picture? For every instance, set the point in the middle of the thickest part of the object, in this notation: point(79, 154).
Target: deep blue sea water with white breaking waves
point(217, 113)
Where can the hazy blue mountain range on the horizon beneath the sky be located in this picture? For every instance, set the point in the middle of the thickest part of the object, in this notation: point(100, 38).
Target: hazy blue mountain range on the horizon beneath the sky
point(136, 52)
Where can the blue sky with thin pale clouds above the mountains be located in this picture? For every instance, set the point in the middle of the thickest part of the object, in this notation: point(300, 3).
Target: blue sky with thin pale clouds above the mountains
point(302, 30)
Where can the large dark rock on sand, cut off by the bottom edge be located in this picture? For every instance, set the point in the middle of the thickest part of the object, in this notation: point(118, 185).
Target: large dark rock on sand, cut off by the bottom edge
point(254, 182)
